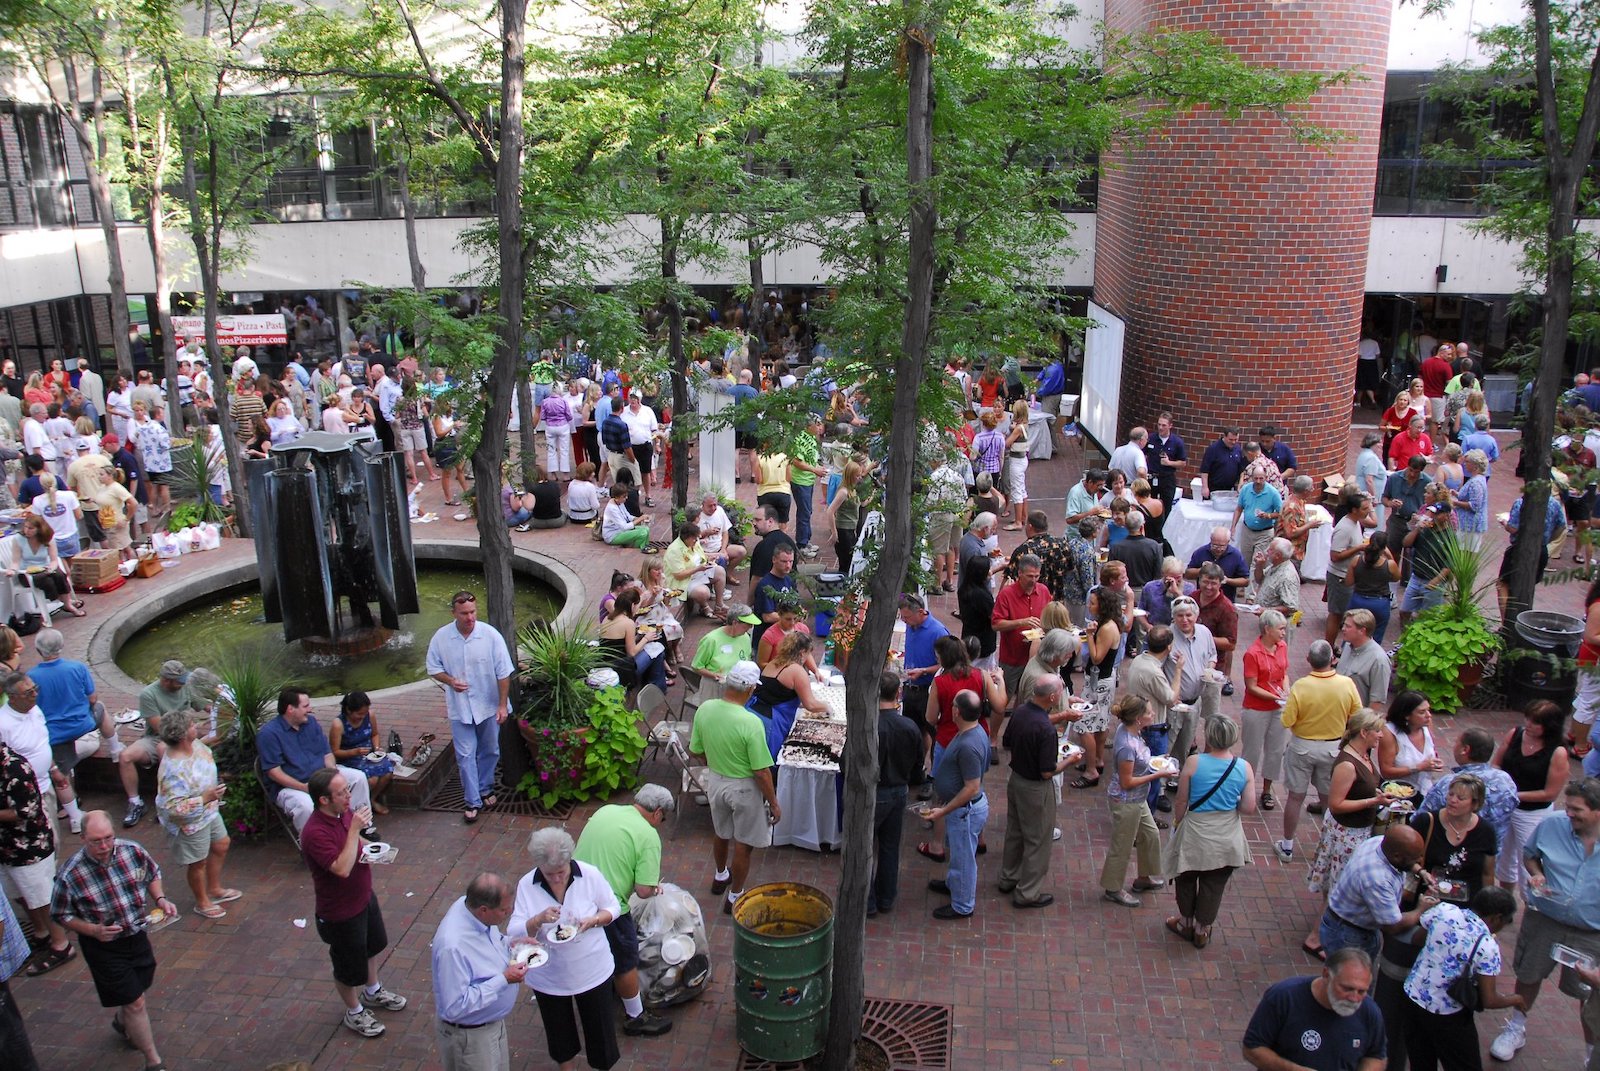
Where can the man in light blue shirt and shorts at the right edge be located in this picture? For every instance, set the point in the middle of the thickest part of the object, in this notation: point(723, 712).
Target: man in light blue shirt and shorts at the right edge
point(1564, 905)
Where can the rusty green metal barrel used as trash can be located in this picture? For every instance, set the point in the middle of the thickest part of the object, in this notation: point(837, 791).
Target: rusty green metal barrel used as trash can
point(783, 971)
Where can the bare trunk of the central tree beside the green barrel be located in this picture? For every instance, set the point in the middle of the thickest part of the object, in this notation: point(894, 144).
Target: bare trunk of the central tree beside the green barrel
point(862, 760)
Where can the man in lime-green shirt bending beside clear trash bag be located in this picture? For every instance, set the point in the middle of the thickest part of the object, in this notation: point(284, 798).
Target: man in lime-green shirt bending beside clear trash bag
point(622, 840)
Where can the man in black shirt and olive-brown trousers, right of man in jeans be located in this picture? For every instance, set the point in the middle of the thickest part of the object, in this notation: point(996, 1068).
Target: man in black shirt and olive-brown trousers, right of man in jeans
point(1031, 800)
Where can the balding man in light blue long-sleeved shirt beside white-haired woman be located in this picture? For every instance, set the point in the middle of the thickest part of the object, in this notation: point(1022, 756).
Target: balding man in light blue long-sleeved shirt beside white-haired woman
point(476, 977)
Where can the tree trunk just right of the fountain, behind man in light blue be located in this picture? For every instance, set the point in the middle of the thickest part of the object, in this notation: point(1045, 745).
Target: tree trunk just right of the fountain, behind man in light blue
point(494, 535)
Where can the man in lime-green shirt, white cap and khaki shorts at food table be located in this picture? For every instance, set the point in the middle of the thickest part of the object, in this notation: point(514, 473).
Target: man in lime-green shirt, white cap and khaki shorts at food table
point(738, 780)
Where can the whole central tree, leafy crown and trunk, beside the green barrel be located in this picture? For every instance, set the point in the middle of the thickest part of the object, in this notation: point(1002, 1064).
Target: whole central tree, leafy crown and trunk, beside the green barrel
point(942, 142)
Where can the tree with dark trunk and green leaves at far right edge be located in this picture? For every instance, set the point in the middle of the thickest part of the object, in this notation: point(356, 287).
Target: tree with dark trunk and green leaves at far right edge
point(1545, 66)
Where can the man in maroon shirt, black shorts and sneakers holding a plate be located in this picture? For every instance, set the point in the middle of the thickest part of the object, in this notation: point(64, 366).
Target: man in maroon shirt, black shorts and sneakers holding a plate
point(350, 921)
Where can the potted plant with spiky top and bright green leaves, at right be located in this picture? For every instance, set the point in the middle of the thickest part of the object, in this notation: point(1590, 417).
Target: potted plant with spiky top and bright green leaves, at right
point(1446, 649)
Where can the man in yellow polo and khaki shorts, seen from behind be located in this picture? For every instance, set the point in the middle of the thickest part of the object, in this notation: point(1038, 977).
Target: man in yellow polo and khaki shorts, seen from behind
point(1316, 713)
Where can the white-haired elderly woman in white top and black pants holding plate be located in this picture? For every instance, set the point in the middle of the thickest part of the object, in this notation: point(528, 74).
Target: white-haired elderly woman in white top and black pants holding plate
point(567, 905)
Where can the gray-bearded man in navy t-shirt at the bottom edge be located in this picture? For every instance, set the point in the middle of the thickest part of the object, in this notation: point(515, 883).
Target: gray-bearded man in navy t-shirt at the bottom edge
point(1326, 1024)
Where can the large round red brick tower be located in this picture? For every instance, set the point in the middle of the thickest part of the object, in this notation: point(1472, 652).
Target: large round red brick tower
point(1236, 255)
